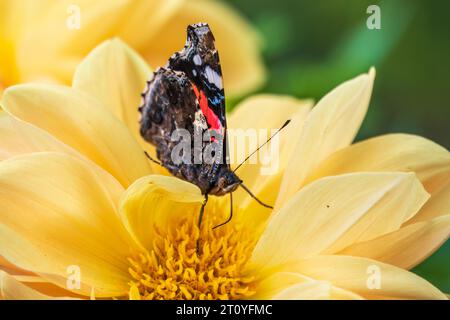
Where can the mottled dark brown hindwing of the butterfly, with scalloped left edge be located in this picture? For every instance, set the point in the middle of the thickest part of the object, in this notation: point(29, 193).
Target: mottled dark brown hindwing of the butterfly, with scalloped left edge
point(171, 116)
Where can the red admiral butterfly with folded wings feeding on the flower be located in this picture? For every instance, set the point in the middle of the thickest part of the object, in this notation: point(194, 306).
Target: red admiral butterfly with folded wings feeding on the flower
point(187, 96)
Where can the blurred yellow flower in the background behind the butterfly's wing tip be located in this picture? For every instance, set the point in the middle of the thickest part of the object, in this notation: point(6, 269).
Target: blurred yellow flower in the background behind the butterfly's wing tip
point(39, 39)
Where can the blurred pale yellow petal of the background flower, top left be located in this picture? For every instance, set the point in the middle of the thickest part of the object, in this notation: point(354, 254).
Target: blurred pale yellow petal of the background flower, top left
point(58, 55)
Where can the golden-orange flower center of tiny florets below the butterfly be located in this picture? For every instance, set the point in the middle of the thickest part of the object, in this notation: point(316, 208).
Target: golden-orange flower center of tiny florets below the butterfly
point(174, 270)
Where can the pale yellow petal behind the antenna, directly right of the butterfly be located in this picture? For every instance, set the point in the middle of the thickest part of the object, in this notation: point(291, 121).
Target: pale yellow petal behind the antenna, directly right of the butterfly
point(263, 114)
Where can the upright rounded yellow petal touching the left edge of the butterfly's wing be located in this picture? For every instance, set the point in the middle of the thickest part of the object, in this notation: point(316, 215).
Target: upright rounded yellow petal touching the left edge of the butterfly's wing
point(115, 75)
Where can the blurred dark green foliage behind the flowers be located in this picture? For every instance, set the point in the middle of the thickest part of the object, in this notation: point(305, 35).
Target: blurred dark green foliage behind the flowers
point(312, 46)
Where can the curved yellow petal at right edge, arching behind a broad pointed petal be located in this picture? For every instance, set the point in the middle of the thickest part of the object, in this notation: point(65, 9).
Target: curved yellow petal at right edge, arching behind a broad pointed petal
point(392, 152)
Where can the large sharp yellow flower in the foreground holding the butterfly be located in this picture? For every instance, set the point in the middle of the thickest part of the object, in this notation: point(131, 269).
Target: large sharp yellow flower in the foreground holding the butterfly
point(77, 190)
